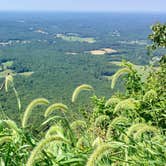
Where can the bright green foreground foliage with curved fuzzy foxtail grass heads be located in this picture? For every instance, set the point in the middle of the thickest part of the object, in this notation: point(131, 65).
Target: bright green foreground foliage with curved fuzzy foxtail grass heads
point(127, 129)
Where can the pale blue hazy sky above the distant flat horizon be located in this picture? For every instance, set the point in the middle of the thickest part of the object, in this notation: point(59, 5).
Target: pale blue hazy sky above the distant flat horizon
point(84, 5)
